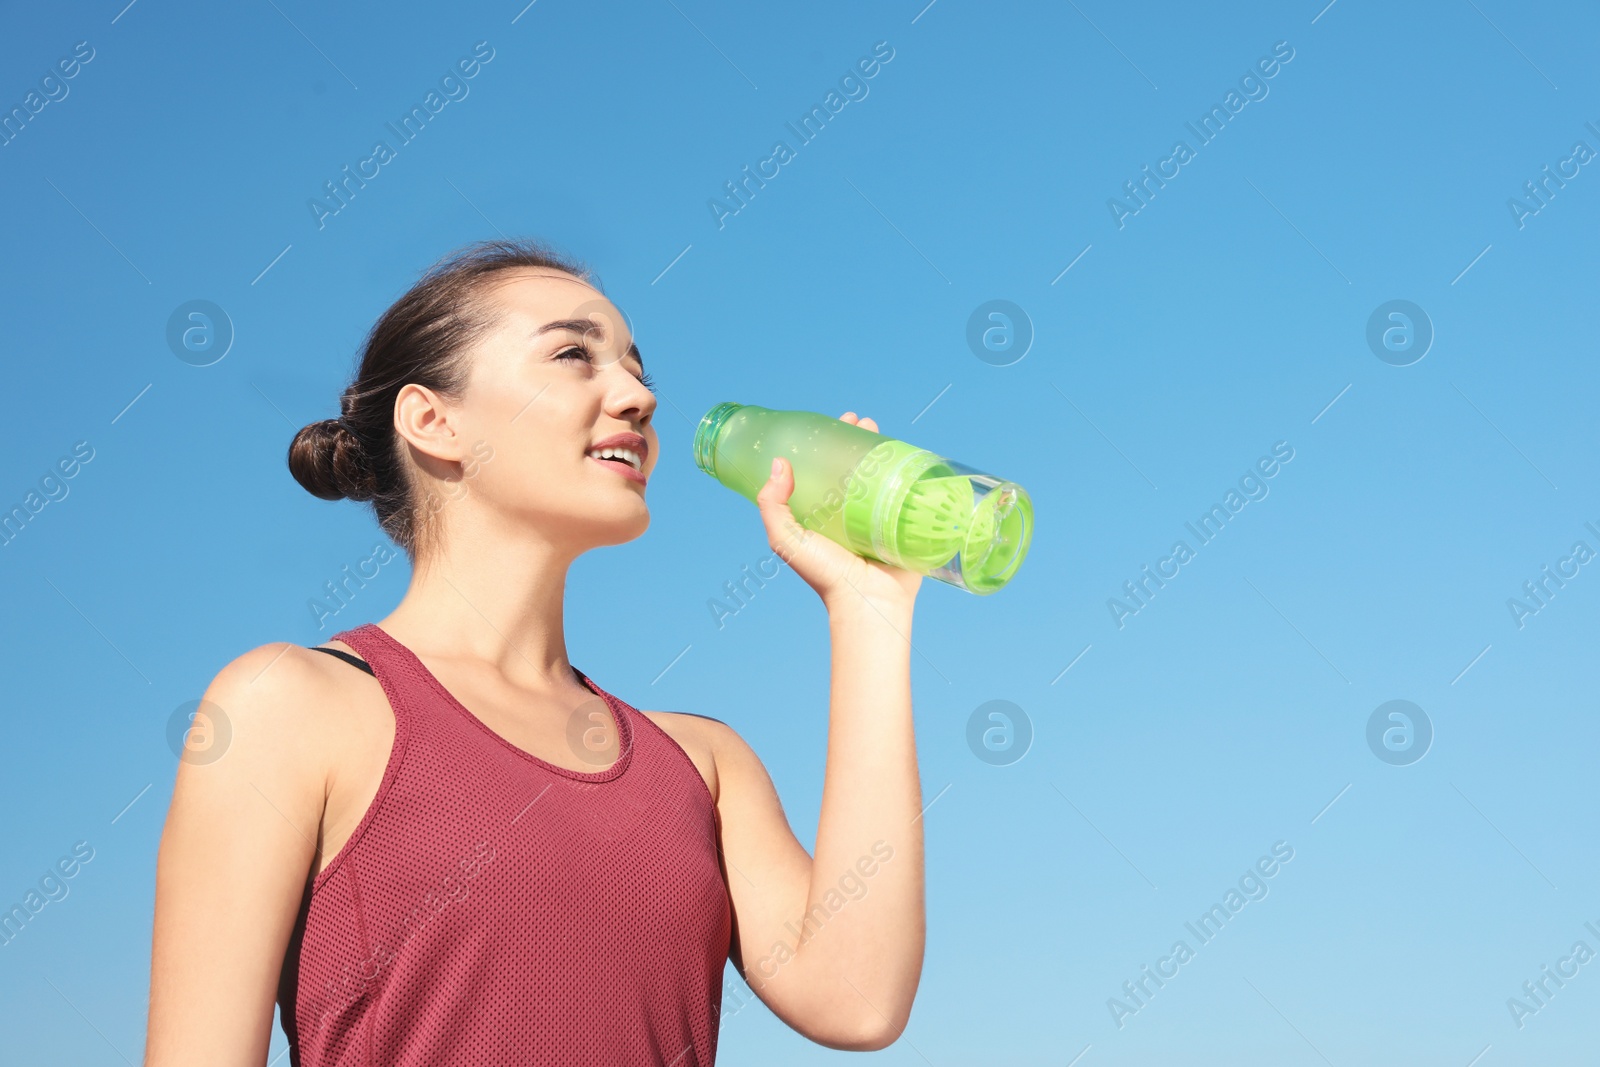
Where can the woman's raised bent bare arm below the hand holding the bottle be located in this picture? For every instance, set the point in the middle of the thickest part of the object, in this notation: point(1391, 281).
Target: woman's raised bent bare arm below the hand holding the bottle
point(834, 943)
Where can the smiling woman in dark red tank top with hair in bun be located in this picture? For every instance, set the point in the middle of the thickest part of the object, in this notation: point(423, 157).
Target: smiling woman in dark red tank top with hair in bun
point(433, 841)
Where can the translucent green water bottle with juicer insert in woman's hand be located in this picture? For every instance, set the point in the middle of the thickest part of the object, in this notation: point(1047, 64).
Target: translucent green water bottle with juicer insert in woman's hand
point(878, 497)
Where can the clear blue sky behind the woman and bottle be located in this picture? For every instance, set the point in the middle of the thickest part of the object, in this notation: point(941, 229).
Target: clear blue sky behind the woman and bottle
point(1174, 346)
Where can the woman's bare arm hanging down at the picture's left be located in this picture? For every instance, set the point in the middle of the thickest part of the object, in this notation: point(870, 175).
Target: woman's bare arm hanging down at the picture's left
point(238, 849)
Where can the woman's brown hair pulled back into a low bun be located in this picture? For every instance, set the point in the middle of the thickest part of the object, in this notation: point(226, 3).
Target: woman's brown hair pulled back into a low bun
point(423, 338)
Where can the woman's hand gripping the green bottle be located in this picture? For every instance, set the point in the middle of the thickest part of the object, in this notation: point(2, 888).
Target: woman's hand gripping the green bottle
point(836, 573)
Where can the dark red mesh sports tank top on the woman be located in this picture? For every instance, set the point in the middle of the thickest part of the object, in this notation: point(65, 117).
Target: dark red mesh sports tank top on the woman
point(497, 909)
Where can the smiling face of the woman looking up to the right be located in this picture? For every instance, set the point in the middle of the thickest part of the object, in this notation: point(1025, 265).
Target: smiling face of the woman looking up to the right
point(551, 382)
